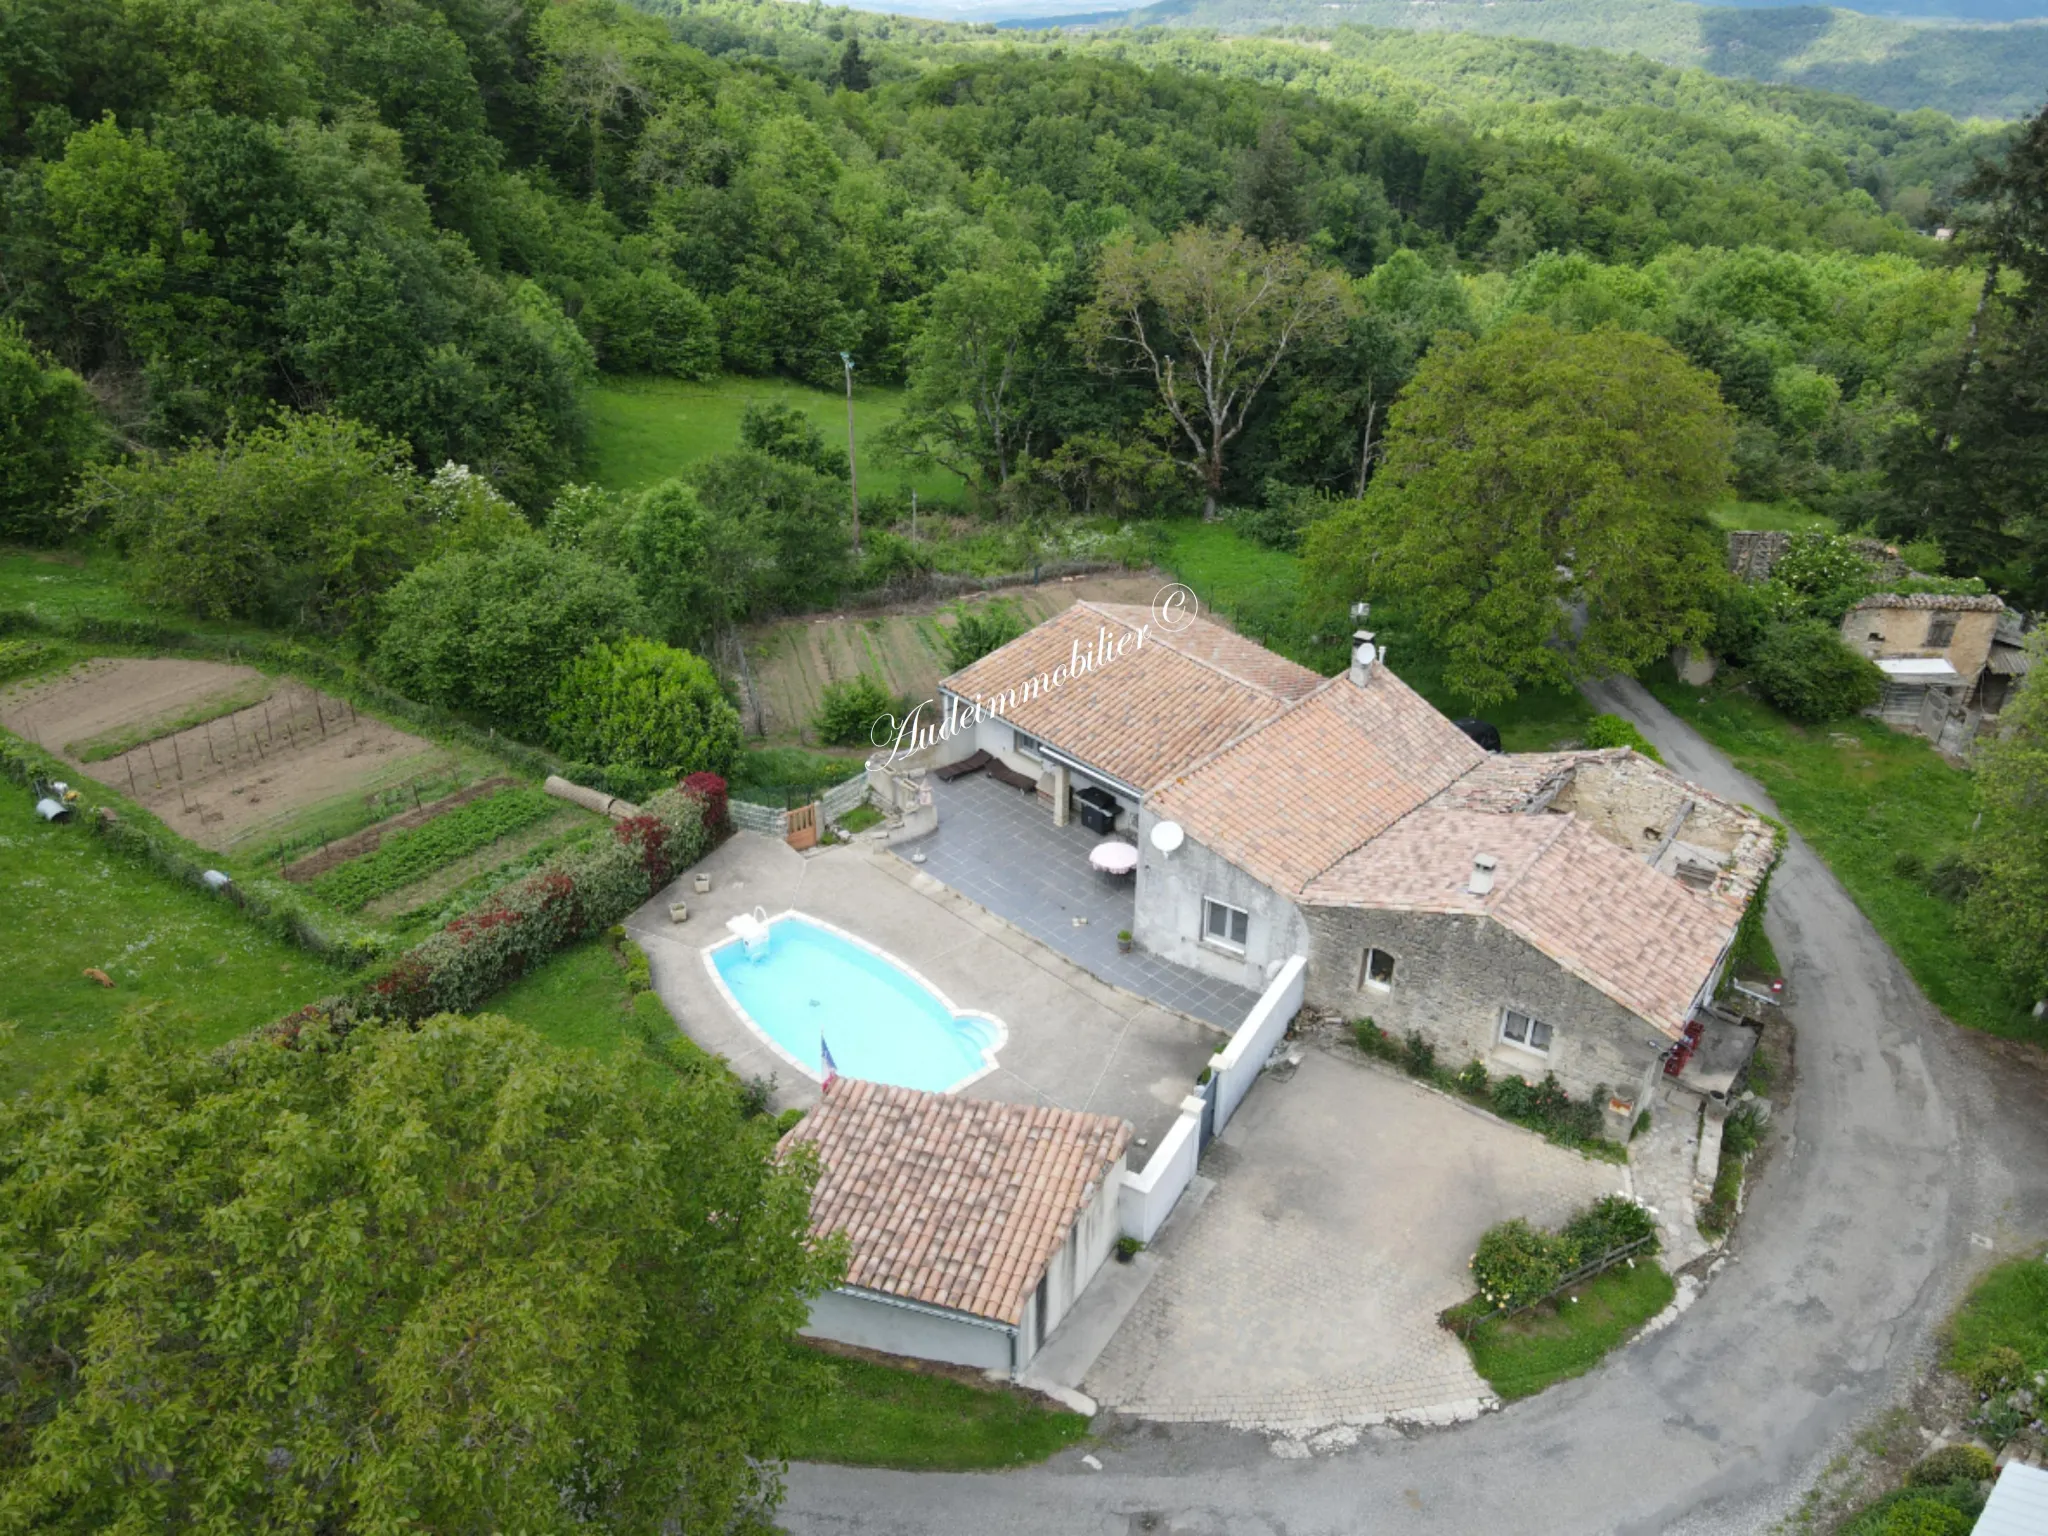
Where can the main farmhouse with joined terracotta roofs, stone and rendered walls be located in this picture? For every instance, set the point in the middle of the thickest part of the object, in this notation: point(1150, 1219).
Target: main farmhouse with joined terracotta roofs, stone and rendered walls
point(1566, 912)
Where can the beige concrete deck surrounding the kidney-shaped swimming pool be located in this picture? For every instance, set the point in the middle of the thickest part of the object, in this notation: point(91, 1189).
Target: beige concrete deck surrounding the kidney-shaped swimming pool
point(1074, 1041)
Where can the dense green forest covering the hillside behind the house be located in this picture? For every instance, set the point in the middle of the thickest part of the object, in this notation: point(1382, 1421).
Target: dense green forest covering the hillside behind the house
point(441, 222)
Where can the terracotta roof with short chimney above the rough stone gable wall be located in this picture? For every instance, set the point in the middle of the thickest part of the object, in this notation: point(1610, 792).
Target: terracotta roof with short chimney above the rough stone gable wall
point(1601, 912)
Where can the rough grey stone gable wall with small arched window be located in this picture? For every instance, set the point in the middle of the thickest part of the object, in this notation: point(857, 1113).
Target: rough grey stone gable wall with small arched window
point(1455, 976)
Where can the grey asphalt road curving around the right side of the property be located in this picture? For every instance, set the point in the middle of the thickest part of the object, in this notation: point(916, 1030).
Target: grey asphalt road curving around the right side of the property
point(1906, 1140)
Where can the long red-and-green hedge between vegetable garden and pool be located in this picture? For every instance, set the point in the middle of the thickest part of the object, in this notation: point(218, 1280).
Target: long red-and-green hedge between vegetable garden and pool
point(521, 925)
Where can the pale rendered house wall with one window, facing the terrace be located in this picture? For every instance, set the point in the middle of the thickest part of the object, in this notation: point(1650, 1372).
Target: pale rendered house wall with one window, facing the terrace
point(1170, 912)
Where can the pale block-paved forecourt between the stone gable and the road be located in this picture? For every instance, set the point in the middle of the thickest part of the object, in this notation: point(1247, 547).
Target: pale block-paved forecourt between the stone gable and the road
point(1306, 1291)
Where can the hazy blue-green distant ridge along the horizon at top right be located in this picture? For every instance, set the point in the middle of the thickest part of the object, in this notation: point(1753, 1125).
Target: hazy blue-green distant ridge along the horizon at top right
point(1967, 69)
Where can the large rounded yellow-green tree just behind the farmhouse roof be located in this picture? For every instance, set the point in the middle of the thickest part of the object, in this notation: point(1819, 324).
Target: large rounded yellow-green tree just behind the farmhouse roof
point(1541, 513)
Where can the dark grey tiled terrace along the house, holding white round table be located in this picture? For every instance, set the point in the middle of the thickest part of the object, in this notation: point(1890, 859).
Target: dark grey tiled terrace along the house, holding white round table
point(998, 847)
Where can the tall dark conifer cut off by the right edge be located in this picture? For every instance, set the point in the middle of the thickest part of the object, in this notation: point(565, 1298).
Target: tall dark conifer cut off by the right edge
point(1971, 470)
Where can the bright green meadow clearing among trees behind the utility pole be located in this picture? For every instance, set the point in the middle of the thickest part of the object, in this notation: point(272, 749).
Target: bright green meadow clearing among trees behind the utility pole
point(644, 431)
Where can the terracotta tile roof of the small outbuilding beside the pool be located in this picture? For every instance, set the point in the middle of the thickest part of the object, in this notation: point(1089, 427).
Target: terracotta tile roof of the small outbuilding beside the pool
point(953, 1201)
